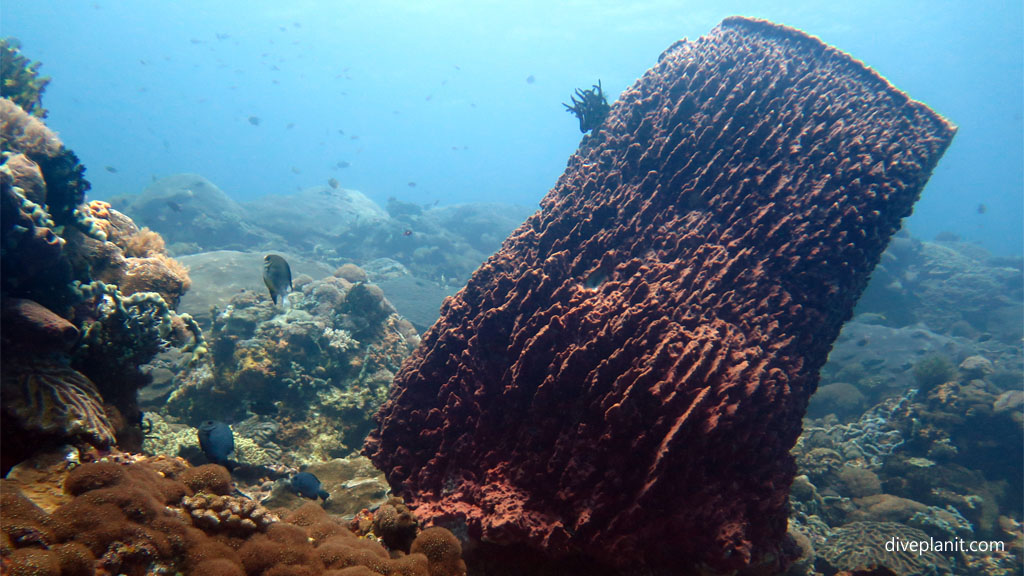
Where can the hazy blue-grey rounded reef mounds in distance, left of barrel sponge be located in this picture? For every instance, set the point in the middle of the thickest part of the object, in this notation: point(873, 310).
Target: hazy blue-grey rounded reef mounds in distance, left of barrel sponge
point(445, 244)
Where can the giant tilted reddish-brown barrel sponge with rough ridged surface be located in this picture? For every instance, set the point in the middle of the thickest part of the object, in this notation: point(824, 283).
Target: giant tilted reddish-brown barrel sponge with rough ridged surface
point(625, 379)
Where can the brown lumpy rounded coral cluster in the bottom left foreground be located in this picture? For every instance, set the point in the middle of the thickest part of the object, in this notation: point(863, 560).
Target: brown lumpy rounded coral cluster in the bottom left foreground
point(141, 518)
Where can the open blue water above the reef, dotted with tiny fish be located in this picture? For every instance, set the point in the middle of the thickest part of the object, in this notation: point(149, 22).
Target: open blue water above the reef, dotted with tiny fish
point(437, 94)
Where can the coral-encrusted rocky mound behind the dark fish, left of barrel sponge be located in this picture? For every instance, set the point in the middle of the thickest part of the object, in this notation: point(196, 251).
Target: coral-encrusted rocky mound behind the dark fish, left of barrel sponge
point(318, 371)
